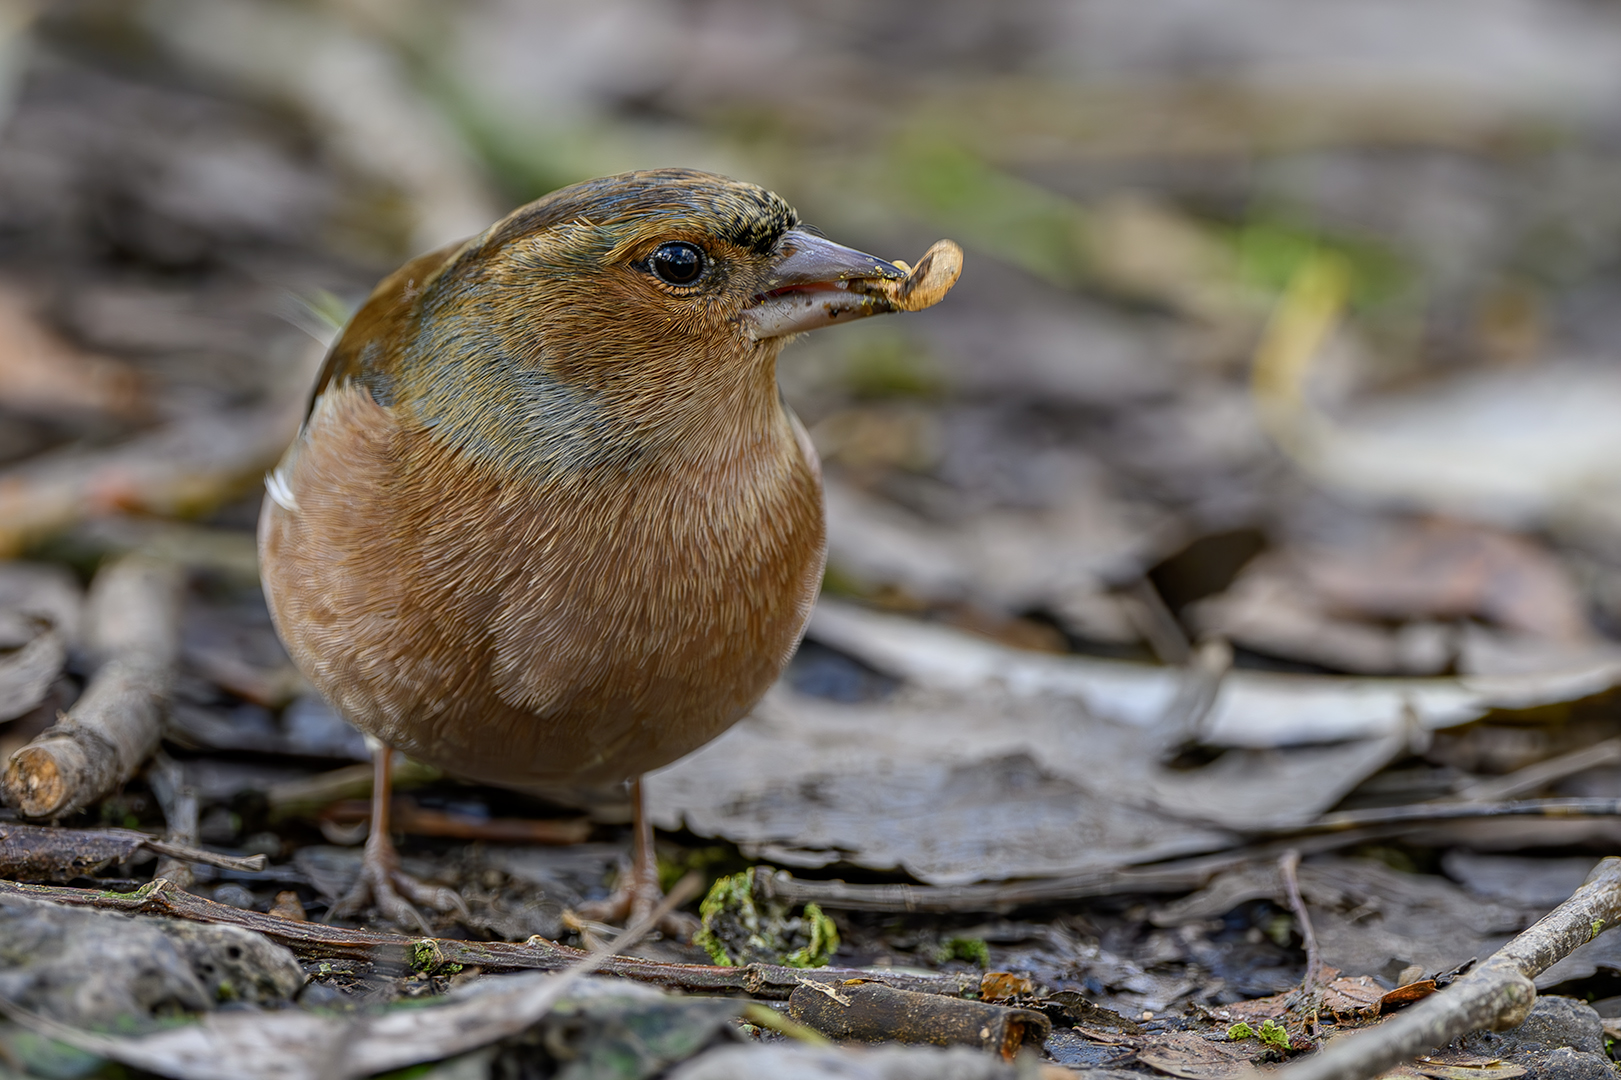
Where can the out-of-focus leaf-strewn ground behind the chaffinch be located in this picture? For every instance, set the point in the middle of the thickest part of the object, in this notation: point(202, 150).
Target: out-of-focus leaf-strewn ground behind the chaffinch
point(1304, 312)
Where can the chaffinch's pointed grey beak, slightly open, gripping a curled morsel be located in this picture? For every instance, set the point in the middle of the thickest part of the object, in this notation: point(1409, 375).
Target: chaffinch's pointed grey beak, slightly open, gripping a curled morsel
point(811, 286)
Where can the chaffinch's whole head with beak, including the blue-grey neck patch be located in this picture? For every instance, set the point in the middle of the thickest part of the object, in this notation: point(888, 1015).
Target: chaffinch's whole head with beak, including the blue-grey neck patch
point(651, 302)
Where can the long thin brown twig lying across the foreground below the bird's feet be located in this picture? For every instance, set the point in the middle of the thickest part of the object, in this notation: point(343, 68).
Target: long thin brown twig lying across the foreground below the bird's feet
point(319, 941)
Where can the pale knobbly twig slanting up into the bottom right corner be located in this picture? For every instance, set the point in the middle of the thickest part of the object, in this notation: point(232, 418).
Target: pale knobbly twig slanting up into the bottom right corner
point(1495, 995)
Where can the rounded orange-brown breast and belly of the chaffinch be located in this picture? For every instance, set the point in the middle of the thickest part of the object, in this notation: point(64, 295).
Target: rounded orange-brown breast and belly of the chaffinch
point(591, 624)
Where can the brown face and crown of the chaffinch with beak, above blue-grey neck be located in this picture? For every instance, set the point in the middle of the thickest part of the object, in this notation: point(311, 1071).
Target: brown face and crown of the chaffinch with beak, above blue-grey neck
point(664, 265)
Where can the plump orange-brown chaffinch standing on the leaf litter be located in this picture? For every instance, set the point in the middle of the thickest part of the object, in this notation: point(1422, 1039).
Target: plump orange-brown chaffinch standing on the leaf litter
point(549, 518)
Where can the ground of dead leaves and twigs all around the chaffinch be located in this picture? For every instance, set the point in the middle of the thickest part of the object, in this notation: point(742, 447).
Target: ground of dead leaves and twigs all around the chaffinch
point(1246, 528)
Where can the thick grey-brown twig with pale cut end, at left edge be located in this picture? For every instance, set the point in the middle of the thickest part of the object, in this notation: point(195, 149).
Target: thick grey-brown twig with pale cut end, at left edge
point(116, 726)
